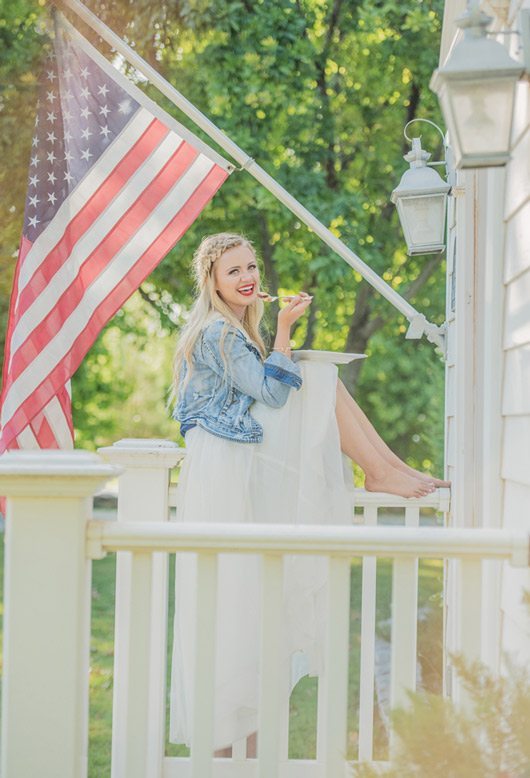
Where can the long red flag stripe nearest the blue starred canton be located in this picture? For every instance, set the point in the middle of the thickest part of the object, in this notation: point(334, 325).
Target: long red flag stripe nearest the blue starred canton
point(91, 210)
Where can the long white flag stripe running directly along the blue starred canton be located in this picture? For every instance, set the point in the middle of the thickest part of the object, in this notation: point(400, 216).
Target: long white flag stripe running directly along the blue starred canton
point(49, 238)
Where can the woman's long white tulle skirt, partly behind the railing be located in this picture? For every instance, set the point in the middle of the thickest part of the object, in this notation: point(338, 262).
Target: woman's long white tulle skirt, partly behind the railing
point(297, 475)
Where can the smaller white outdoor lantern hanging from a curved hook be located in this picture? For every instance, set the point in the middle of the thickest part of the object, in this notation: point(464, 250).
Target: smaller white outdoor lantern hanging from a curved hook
point(421, 200)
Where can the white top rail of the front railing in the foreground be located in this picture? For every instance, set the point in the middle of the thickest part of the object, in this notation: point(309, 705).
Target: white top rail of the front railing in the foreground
point(336, 540)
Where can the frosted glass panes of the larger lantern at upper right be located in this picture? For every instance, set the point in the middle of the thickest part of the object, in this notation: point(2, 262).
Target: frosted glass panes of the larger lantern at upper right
point(482, 113)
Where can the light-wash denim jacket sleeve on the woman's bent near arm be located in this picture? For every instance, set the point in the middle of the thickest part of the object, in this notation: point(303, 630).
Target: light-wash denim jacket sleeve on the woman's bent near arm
point(269, 381)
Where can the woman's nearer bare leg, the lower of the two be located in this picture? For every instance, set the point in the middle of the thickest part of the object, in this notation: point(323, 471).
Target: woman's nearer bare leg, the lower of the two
point(380, 475)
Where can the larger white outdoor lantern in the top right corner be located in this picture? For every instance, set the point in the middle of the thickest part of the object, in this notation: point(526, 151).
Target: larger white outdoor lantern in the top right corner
point(476, 89)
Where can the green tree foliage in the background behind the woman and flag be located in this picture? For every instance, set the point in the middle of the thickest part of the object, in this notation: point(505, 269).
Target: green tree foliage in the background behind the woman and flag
point(317, 92)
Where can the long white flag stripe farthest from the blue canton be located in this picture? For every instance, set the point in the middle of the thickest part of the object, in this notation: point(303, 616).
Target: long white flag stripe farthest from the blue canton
point(43, 364)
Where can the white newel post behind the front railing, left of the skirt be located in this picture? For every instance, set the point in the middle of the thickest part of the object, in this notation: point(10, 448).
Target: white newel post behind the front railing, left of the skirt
point(139, 694)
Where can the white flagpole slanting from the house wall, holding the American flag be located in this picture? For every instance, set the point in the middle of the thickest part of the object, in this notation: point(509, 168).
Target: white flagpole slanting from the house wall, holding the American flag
point(419, 324)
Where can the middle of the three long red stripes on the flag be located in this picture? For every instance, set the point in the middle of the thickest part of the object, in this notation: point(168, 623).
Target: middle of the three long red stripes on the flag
point(101, 256)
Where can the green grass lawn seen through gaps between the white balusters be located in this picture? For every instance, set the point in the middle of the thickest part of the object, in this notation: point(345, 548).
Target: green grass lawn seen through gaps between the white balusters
point(302, 743)
